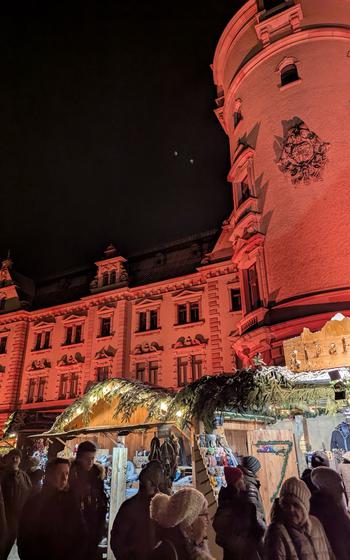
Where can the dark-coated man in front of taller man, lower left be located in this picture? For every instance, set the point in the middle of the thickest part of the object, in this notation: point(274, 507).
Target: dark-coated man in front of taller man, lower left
point(51, 525)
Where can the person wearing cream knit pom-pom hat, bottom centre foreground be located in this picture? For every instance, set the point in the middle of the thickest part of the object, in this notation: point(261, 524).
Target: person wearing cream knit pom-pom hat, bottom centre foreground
point(183, 521)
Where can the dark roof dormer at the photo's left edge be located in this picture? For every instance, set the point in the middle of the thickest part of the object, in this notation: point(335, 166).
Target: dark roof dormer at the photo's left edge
point(16, 291)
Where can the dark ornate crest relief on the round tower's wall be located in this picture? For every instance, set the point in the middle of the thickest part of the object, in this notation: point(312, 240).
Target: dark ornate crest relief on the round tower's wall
point(303, 155)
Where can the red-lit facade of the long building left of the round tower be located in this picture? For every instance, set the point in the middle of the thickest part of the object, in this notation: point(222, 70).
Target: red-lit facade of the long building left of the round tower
point(47, 375)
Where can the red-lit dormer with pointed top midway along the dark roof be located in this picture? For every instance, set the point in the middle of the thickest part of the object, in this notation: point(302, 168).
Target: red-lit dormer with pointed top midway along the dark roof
point(111, 272)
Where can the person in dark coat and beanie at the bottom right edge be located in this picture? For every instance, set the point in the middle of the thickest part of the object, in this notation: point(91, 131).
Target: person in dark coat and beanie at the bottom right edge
point(328, 505)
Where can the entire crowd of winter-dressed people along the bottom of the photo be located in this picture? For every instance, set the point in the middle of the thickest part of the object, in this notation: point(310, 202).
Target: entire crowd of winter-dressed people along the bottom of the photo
point(64, 518)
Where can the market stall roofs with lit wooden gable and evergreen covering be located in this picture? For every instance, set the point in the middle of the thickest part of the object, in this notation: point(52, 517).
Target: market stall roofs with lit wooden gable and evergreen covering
point(121, 404)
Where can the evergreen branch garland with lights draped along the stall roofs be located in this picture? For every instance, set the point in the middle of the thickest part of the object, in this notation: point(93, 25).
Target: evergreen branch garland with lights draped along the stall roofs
point(268, 391)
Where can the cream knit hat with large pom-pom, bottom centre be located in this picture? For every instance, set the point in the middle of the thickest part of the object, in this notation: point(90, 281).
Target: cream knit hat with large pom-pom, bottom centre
point(182, 508)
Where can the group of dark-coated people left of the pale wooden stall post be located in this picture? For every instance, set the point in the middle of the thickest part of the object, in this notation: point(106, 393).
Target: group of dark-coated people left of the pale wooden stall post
point(61, 518)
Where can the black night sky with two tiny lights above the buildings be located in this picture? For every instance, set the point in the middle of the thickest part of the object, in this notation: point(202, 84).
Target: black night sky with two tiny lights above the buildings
point(95, 97)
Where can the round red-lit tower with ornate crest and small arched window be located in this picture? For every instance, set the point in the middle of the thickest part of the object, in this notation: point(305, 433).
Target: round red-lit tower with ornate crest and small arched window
point(282, 72)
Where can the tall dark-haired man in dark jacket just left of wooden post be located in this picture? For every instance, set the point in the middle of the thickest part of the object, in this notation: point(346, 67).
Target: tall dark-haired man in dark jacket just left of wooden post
point(86, 482)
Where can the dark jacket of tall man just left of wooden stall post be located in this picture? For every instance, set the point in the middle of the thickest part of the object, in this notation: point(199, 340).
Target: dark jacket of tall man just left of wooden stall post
point(88, 489)
